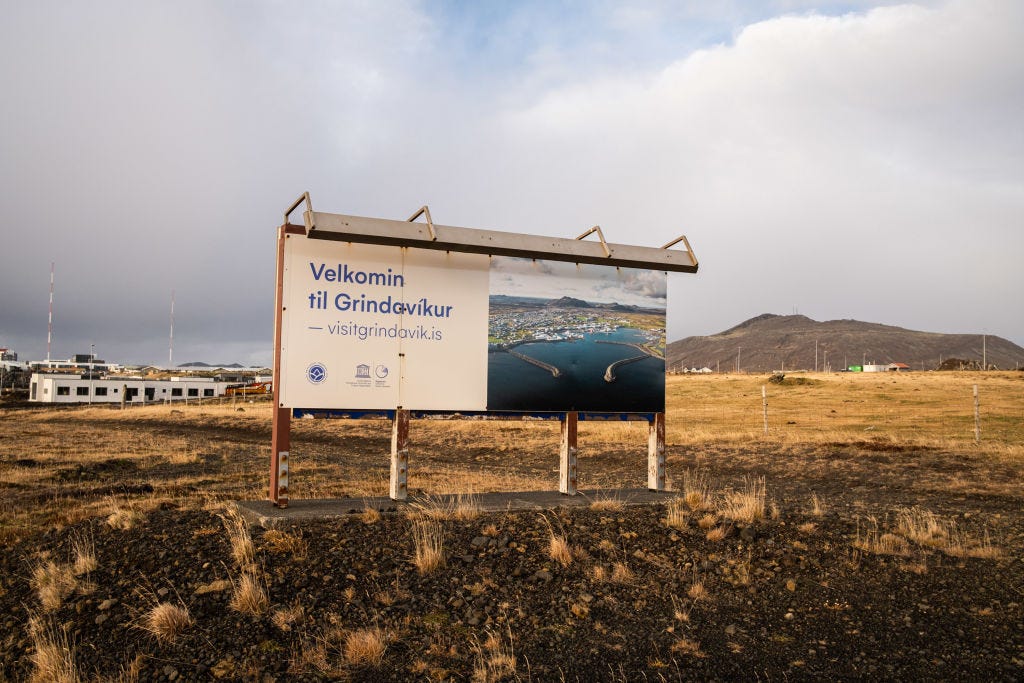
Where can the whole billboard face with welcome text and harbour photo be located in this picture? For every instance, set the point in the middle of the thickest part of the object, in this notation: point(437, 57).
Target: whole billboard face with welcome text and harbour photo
point(378, 327)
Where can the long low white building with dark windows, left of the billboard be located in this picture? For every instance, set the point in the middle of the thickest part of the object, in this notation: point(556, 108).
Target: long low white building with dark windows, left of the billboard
point(67, 389)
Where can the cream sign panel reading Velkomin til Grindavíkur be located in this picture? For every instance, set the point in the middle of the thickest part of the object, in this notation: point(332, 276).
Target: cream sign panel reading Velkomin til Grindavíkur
point(369, 327)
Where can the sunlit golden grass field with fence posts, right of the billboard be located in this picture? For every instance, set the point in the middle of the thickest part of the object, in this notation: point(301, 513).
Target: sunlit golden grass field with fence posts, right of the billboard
point(920, 409)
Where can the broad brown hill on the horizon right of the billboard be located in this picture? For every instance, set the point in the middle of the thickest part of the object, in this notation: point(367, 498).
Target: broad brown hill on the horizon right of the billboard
point(772, 343)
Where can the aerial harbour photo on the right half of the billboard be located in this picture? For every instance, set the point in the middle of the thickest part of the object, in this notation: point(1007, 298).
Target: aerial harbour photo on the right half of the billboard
point(572, 337)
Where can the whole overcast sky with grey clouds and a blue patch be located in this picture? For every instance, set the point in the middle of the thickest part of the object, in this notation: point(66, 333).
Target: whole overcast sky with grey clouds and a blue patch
point(857, 160)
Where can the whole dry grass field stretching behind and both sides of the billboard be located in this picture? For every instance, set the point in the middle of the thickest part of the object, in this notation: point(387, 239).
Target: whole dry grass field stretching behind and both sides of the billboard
point(884, 416)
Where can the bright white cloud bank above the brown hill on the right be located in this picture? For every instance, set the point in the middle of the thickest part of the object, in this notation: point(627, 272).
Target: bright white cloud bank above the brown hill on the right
point(854, 166)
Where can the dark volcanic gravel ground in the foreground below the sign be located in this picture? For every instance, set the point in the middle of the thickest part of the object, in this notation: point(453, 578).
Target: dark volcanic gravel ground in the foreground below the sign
point(786, 599)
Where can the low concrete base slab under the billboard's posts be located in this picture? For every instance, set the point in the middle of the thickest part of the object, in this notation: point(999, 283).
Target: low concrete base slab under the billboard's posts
point(263, 514)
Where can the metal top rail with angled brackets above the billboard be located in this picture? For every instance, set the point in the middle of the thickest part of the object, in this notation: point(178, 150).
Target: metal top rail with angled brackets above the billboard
point(343, 228)
